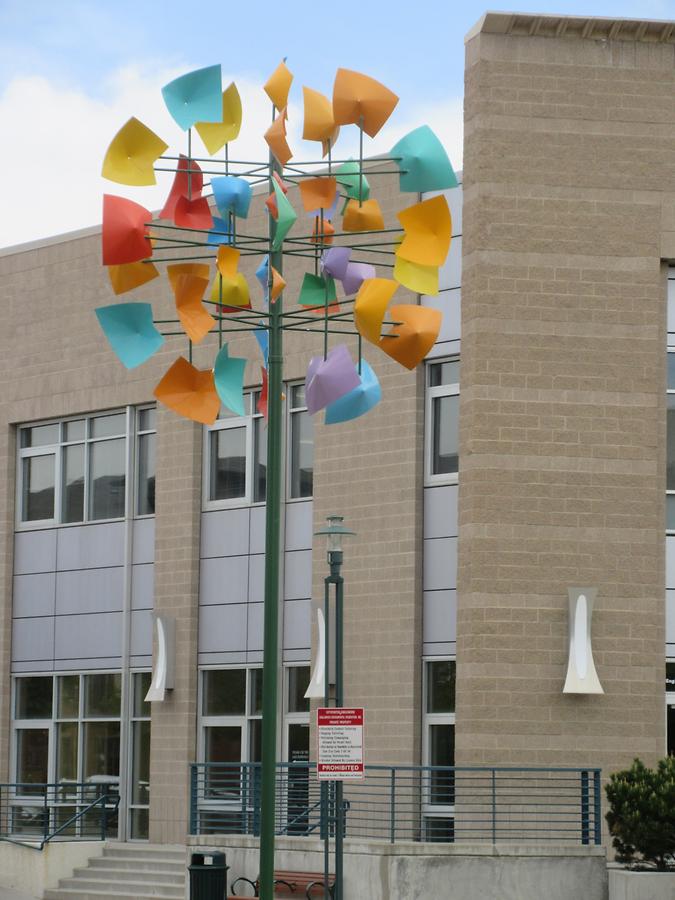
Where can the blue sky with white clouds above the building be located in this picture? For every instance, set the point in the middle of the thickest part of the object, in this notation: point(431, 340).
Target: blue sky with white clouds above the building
point(72, 72)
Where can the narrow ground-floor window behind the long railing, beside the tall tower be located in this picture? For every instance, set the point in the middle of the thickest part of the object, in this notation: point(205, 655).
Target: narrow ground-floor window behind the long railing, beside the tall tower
point(439, 749)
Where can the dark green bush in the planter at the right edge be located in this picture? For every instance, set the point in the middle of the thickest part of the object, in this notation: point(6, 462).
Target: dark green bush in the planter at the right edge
point(641, 816)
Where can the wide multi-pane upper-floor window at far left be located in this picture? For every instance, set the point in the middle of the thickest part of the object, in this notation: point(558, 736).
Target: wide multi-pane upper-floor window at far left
point(76, 470)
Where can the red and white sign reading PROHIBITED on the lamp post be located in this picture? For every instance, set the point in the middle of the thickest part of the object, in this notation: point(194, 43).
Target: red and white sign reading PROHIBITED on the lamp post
point(340, 737)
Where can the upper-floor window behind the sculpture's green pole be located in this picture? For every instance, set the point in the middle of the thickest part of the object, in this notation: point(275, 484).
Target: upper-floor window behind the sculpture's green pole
point(236, 453)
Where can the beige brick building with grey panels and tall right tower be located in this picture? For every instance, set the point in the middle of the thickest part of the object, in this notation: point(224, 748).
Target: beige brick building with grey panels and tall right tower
point(469, 535)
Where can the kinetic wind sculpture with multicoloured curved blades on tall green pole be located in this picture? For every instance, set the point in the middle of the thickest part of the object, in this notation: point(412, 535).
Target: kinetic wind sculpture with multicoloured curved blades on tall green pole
point(345, 238)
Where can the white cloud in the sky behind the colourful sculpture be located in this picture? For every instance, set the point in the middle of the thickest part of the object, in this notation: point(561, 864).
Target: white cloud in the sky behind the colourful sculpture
point(59, 137)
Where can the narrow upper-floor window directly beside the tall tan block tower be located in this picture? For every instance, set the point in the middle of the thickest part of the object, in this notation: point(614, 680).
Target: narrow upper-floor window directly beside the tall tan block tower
point(442, 421)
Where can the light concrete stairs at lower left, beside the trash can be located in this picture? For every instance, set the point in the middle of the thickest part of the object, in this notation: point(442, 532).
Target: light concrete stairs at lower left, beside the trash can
point(127, 872)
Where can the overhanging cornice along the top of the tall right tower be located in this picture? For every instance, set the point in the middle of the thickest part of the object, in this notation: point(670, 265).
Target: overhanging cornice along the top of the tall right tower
point(596, 28)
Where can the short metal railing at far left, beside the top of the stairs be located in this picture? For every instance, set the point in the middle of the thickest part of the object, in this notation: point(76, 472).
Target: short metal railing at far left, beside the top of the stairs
point(35, 814)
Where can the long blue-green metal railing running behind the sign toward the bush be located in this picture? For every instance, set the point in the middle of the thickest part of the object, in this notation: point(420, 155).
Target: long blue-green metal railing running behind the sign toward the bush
point(407, 803)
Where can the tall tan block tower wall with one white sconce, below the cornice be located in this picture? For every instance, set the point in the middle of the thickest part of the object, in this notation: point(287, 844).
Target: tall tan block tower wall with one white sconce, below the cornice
point(568, 164)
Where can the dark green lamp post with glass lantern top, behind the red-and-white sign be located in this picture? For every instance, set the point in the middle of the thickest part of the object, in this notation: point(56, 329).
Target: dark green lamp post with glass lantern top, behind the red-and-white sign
point(334, 532)
